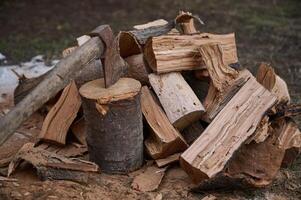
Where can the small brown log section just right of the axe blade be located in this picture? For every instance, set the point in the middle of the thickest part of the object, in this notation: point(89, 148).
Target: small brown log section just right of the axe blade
point(137, 68)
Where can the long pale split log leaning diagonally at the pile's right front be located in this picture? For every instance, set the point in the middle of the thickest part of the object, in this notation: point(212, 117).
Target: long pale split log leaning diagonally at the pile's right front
point(209, 154)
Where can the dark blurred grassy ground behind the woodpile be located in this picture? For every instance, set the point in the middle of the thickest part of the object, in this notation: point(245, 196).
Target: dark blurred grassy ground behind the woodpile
point(266, 31)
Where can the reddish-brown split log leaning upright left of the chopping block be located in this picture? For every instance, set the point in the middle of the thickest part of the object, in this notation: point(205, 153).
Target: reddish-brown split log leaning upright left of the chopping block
point(61, 116)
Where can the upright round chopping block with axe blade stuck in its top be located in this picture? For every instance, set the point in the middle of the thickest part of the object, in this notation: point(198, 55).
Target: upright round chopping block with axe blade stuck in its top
point(114, 124)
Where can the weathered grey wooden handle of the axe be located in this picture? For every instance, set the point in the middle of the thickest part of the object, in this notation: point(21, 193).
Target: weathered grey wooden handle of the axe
point(65, 71)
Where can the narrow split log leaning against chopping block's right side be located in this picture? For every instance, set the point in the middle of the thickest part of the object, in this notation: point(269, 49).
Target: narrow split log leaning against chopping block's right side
point(164, 140)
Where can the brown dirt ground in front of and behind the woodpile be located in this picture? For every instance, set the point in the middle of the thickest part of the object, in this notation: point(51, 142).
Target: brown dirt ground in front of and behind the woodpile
point(268, 31)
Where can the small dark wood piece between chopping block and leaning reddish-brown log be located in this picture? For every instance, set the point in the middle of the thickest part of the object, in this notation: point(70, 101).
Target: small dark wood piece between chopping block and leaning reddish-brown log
point(78, 129)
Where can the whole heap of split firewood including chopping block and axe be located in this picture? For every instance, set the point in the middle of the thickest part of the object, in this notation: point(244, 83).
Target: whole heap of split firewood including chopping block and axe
point(197, 105)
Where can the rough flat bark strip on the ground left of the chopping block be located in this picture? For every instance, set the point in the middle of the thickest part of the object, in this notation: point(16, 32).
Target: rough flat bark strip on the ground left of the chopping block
point(52, 166)
